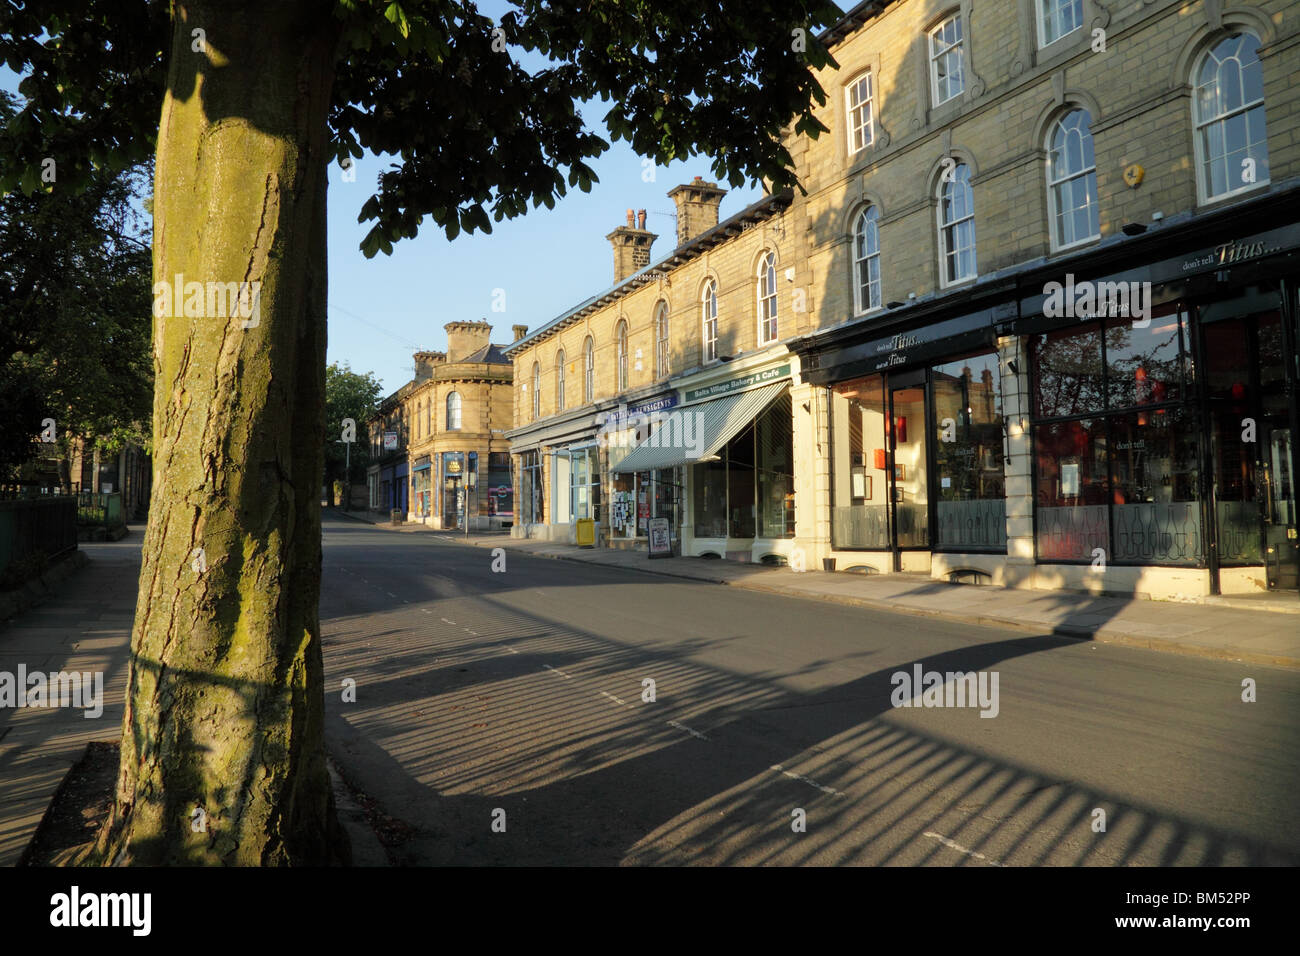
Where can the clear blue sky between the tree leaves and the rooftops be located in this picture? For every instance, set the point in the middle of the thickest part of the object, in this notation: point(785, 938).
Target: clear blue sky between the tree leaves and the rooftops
point(549, 261)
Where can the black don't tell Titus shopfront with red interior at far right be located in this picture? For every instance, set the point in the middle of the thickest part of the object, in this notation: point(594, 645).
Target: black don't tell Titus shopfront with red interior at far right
point(1164, 443)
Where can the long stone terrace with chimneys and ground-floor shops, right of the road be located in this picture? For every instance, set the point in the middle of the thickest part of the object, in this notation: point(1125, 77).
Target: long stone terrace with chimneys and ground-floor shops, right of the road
point(1034, 323)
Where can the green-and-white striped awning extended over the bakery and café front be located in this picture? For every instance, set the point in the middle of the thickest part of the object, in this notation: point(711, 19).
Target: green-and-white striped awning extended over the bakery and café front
point(699, 431)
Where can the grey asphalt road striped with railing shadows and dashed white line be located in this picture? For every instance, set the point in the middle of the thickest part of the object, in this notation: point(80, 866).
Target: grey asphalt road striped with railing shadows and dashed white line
point(515, 700)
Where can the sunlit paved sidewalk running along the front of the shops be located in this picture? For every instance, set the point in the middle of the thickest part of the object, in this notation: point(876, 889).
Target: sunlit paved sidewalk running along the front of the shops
point(1203, 630)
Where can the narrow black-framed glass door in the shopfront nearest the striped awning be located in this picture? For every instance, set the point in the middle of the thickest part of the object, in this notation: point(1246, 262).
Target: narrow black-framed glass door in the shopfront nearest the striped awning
point(908, 477)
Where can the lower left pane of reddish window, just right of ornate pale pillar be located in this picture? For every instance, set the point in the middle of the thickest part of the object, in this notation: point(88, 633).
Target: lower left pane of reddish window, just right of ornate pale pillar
point(1071, 501)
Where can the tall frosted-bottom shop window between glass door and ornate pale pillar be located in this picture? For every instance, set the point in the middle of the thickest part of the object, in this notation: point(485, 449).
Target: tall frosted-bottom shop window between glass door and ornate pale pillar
point(970, 487)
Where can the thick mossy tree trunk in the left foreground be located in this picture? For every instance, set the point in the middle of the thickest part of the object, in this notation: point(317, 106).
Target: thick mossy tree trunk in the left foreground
point(223, 746)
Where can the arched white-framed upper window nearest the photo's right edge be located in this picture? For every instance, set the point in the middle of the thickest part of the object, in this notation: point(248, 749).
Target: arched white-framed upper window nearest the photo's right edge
point(1232, 146)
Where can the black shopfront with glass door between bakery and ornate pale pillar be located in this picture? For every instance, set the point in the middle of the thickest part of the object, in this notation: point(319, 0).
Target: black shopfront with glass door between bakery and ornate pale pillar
point(916, 448)
